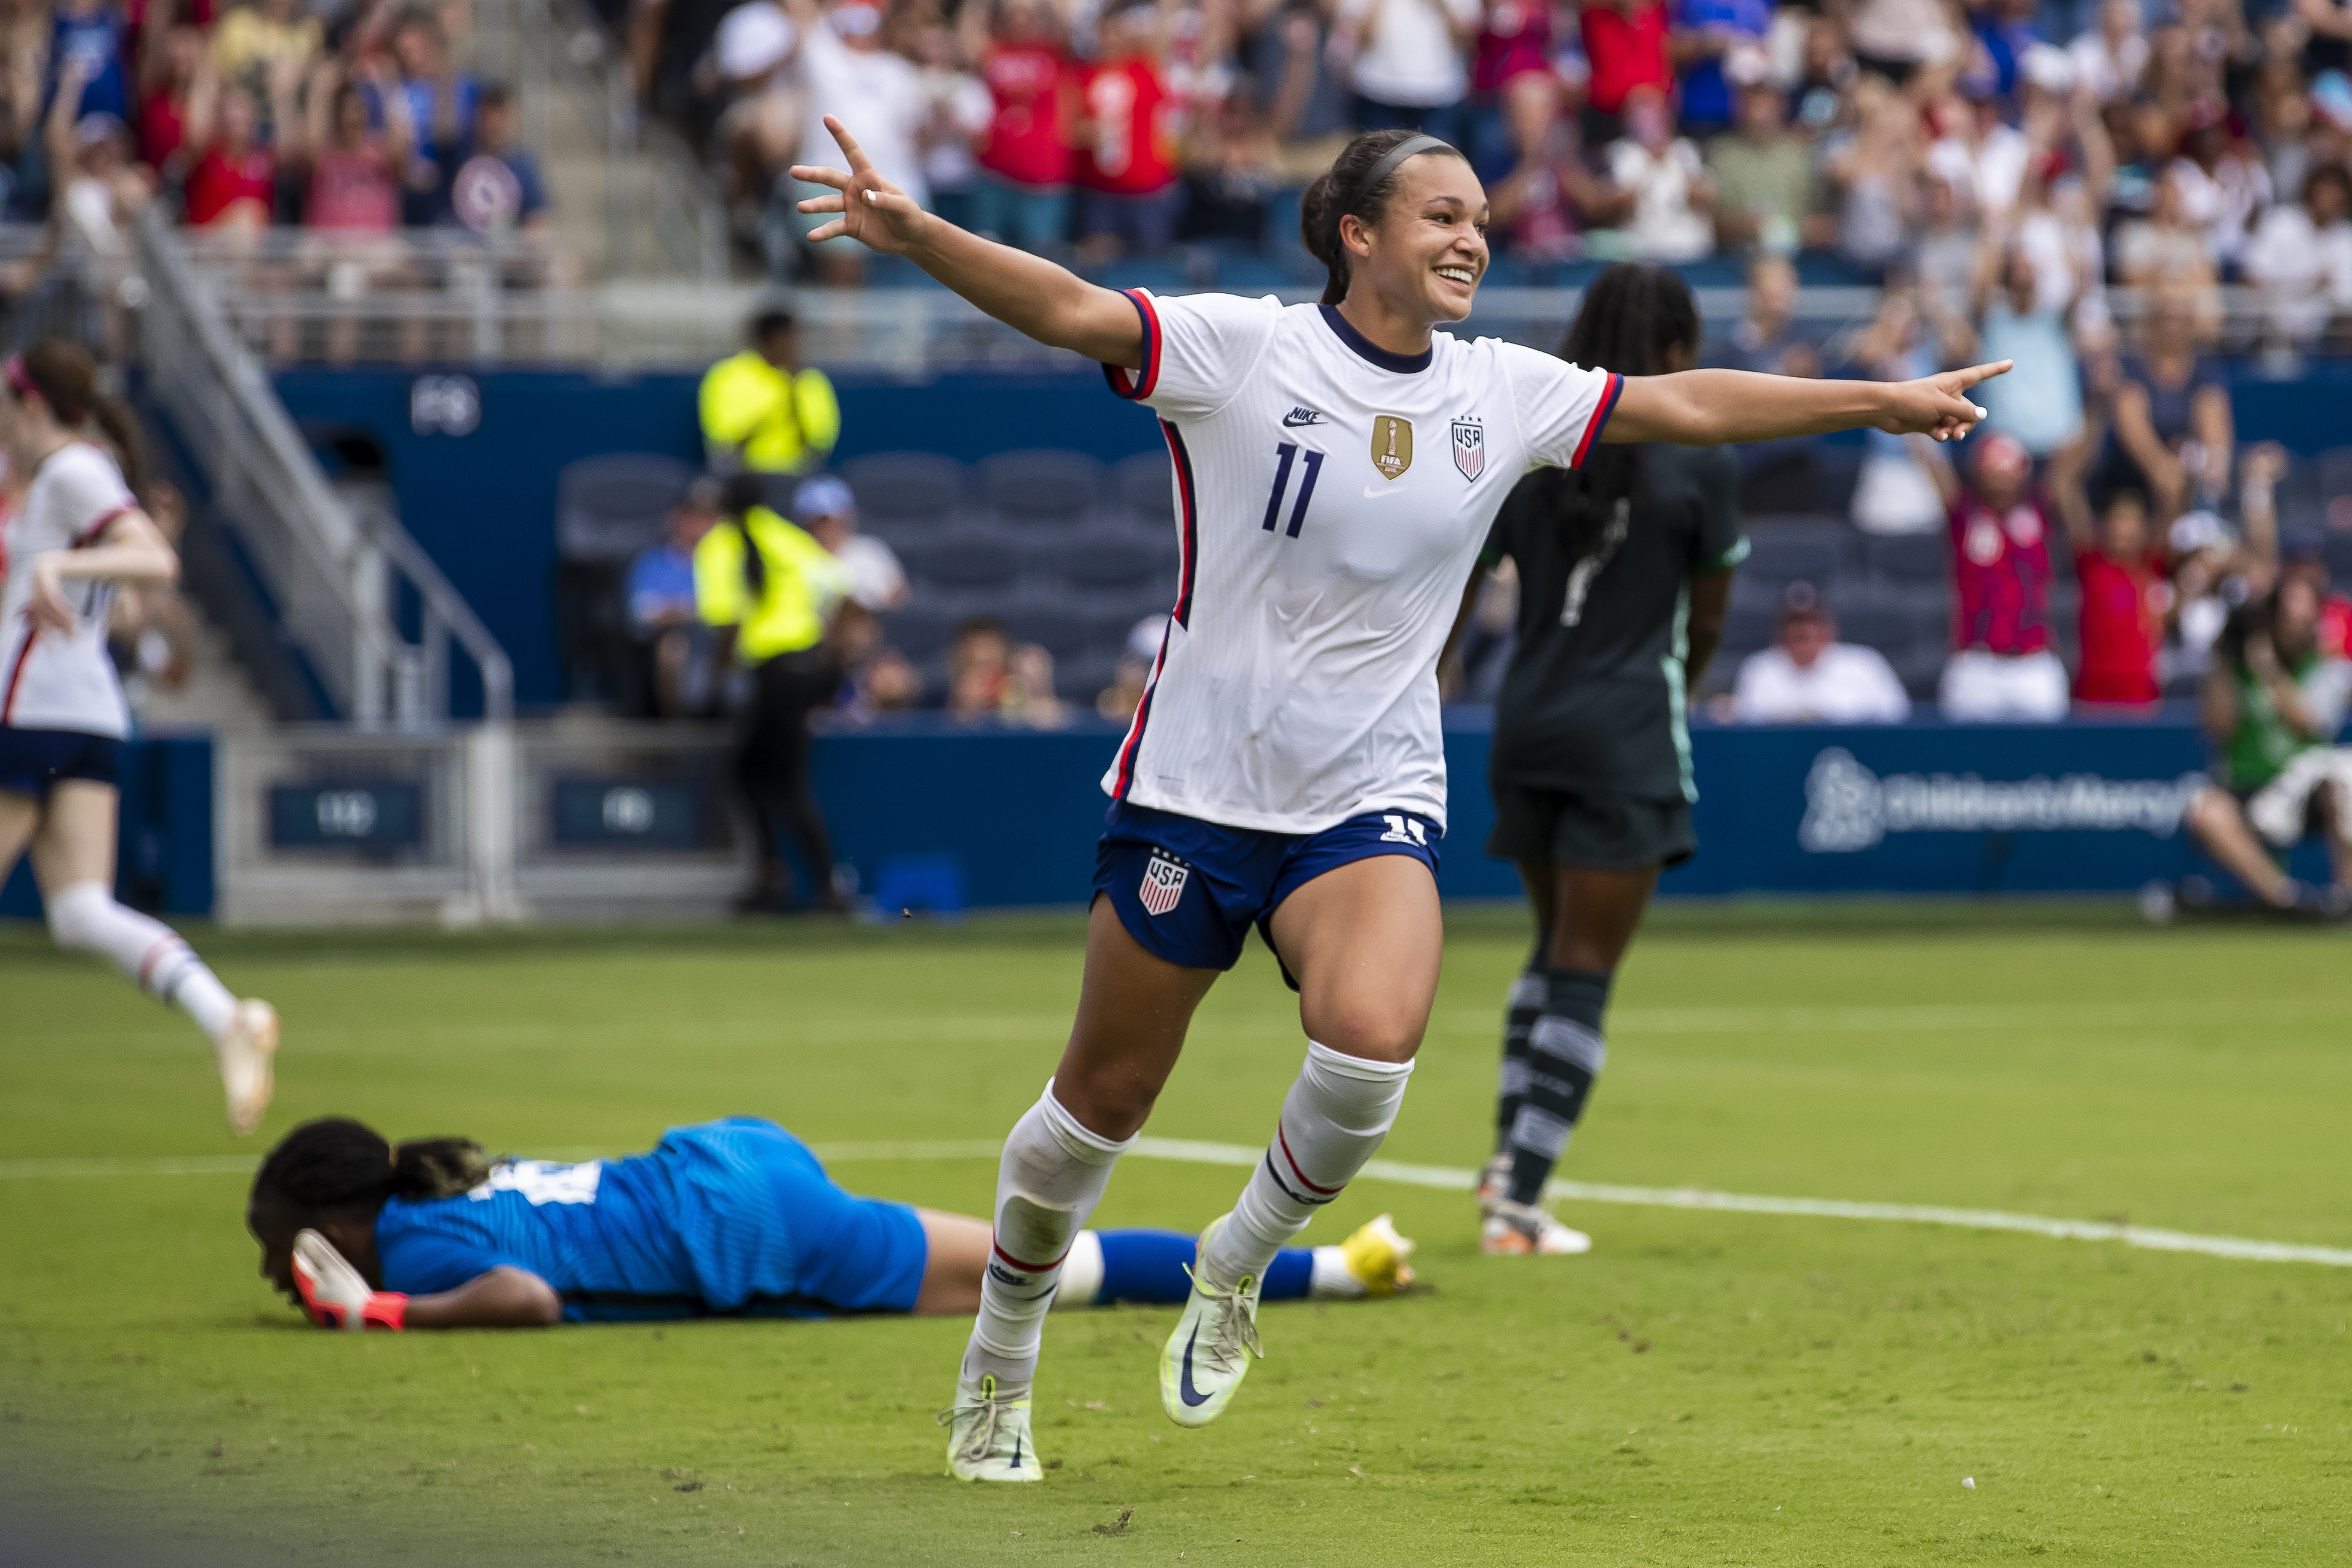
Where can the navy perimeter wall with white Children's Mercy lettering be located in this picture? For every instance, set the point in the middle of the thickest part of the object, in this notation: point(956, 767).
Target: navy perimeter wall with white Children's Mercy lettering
point(954, 815)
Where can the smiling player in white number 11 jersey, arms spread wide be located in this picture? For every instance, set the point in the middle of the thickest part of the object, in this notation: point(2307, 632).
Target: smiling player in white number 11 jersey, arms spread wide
point(1337, 469)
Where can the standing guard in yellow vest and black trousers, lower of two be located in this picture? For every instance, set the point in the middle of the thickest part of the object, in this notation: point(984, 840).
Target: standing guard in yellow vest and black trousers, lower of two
point(770, 591)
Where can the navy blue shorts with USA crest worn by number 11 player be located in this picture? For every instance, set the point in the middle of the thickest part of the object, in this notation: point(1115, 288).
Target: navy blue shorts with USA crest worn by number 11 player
point(1191, 890)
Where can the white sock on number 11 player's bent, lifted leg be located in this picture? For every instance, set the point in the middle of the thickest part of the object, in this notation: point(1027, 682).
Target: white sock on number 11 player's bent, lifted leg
point(1332, 1123)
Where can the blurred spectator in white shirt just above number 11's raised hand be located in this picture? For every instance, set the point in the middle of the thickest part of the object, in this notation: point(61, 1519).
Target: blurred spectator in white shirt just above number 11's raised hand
point(853, 76)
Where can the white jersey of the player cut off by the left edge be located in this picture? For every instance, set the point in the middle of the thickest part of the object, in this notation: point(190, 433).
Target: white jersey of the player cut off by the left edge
point(51, 681)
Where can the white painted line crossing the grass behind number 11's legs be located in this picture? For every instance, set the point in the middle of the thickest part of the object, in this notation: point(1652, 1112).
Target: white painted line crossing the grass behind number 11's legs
point(1445, 1179)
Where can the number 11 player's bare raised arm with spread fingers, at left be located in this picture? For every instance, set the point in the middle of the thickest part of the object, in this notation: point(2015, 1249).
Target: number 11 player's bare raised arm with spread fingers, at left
point(1027, 293)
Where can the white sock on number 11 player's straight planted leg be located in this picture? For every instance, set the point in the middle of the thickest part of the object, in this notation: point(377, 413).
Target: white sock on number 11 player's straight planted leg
point(1055, 1174)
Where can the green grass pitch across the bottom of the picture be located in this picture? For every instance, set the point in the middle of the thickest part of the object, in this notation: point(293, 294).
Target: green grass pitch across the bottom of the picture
point(1704, 1388)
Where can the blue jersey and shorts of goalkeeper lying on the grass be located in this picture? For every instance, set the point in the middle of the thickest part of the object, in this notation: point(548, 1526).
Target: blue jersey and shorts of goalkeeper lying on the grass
point(721, 1219)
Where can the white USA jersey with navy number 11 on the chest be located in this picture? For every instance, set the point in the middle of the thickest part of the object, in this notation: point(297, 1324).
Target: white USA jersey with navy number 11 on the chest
point(1332, 502)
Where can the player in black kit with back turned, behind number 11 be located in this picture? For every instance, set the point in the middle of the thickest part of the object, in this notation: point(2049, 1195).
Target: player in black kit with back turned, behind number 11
point(1624, 579)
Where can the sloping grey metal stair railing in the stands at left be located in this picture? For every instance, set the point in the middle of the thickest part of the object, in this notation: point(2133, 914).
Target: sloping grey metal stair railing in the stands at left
point(333, 572)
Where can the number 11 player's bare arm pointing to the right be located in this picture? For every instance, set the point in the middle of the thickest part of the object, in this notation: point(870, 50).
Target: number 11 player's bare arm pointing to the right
point(1711, 408)
